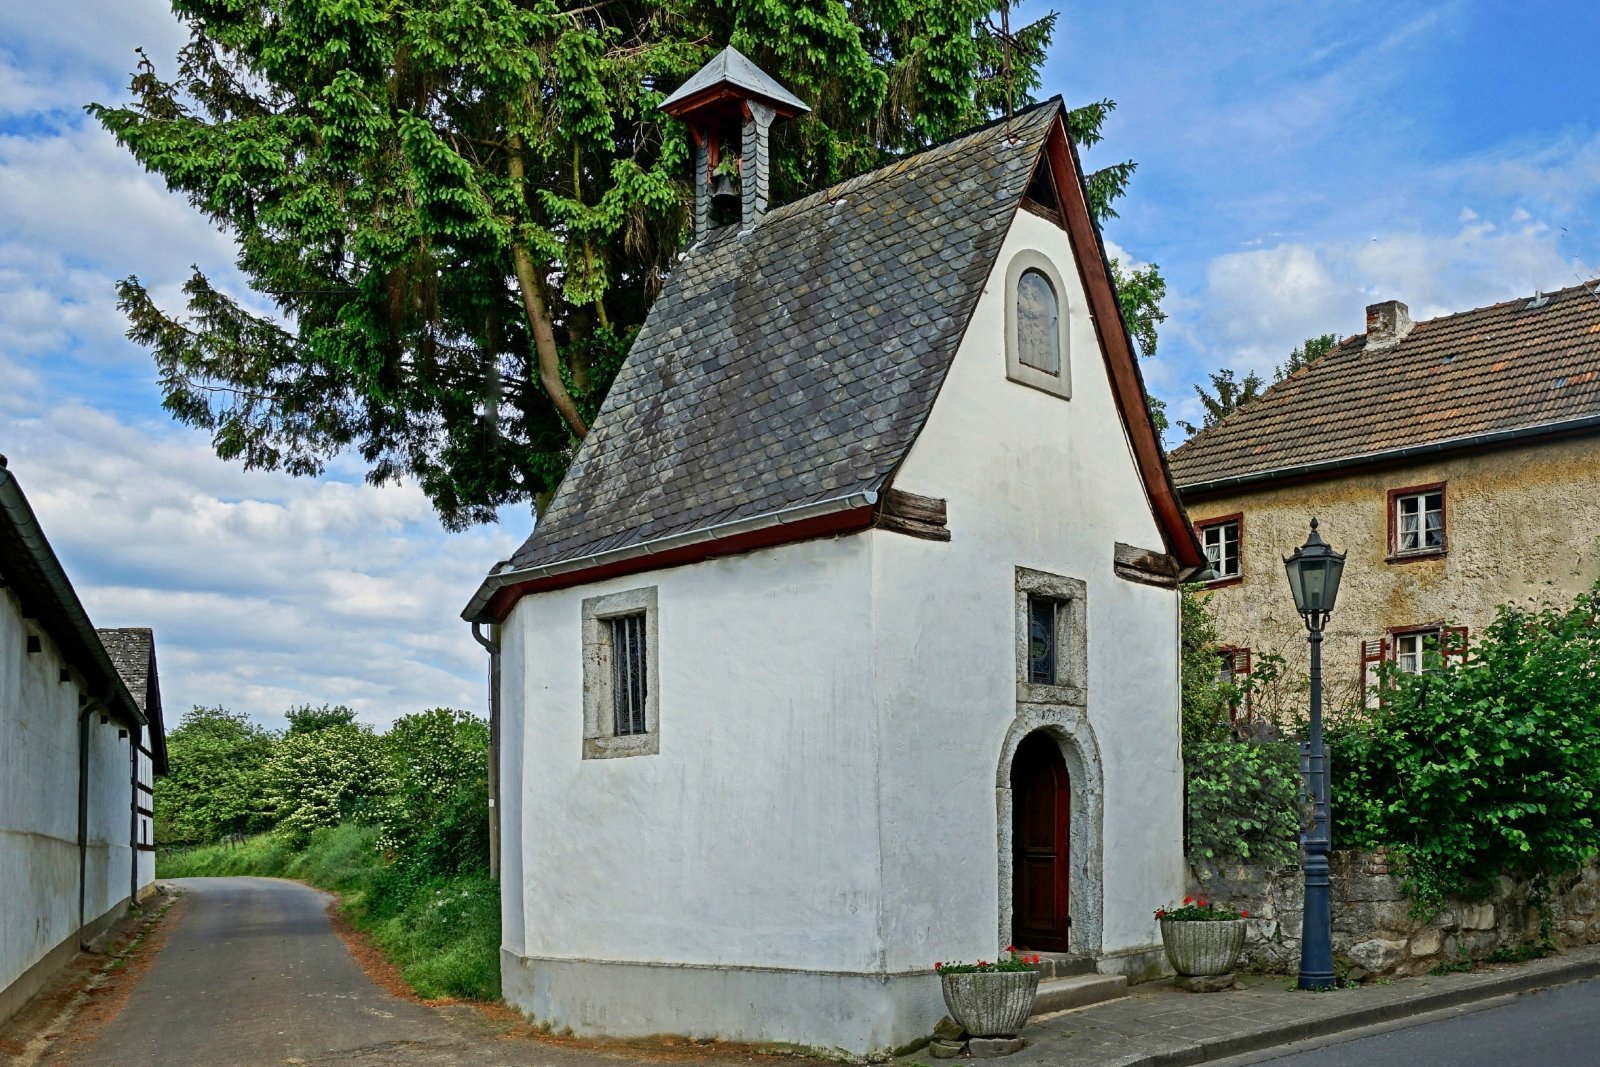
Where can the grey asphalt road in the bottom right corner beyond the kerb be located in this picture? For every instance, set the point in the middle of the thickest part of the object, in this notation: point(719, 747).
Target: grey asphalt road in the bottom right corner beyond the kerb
point(1551, 1028)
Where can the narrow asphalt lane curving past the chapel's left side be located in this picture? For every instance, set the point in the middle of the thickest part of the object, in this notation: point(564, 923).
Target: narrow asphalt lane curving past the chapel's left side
point(255, 975)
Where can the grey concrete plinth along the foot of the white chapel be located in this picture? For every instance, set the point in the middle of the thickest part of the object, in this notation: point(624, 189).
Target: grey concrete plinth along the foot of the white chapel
point(825, 1012)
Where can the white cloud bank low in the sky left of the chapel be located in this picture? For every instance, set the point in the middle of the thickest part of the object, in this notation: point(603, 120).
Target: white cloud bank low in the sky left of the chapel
point(265, 591)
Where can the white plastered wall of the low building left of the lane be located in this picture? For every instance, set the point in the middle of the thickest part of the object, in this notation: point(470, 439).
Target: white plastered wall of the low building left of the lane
point(39, 807)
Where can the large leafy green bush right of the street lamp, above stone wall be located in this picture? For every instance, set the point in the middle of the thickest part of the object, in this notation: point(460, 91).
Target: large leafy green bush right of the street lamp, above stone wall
point(1482, 769)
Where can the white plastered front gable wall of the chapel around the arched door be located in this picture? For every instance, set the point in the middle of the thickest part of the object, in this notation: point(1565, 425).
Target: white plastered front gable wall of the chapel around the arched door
point(1049, 484)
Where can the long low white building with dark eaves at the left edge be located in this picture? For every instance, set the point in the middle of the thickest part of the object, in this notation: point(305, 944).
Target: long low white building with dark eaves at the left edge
point(70, 764)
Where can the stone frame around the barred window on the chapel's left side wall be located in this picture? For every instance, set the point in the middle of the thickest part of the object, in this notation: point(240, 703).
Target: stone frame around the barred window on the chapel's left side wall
point(601, 740)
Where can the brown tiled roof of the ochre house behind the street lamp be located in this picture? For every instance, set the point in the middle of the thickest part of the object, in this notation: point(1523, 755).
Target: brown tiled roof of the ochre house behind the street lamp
point(1497, 369)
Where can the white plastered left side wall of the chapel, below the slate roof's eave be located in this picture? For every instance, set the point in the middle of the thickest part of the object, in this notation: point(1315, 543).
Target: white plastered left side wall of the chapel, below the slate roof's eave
point(751, 837)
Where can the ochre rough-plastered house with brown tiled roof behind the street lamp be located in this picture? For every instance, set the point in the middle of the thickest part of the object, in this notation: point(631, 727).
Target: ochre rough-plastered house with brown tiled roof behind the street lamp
point(1457, 462)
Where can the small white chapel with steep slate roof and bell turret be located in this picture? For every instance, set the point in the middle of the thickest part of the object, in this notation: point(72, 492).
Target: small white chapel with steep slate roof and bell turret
point(850, 641)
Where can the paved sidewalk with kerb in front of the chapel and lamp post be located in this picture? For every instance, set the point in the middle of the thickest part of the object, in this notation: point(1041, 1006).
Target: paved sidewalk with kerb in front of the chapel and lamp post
point(1159, 1026)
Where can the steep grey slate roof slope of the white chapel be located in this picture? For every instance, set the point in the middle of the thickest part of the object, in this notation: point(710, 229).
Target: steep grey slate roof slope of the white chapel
point(796, 364)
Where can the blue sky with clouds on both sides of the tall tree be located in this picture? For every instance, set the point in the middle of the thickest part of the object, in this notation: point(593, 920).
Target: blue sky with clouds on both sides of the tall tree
point(1297, 162)
